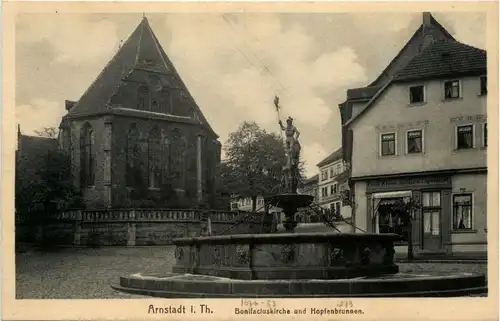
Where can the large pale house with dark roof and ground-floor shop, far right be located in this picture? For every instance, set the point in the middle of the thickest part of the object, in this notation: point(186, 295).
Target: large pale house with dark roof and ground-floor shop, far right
point(422, 135)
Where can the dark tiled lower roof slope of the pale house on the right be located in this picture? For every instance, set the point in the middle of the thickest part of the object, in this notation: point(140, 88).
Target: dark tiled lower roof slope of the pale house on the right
point(438, 60)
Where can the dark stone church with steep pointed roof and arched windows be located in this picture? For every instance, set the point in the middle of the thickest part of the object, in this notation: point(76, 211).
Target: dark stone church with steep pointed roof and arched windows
point(137, 138)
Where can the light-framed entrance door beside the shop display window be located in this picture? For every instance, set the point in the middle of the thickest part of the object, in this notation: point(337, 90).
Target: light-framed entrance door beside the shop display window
point(431, 222)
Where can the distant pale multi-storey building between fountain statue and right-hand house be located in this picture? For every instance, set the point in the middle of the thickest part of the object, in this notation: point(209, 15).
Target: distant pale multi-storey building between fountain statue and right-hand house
point(331, 182)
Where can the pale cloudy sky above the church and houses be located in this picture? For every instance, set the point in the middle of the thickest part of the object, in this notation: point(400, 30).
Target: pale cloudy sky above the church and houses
point(232, 64)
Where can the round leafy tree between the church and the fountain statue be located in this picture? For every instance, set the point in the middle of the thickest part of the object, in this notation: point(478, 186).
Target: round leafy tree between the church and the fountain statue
point(253, 163)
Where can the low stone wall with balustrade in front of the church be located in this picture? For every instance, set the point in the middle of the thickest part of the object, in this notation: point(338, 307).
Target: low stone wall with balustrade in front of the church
point(133, 227)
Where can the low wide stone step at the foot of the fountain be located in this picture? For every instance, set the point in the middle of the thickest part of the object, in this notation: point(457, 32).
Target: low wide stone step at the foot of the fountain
point(172, 285)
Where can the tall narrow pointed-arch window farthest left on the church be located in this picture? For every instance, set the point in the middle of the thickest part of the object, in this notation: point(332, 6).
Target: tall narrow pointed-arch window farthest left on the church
point(87, 159)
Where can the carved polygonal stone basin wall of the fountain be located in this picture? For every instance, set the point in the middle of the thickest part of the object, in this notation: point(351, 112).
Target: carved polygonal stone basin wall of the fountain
point(287, 256)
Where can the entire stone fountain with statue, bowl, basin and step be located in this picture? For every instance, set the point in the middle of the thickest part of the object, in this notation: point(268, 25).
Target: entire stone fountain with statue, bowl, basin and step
point(293, 264)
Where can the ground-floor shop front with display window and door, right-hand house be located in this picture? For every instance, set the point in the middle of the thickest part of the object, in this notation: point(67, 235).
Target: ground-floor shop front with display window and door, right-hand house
point(429, 221)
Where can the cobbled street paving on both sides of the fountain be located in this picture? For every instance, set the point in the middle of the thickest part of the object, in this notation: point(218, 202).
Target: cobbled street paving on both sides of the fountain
point(86, 273)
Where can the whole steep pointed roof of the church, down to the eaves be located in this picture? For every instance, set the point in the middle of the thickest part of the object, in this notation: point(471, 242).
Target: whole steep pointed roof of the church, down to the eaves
point(140, 77)
